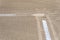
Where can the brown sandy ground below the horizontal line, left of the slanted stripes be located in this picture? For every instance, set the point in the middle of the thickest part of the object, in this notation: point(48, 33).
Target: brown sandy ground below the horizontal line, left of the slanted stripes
point(18, 28)
